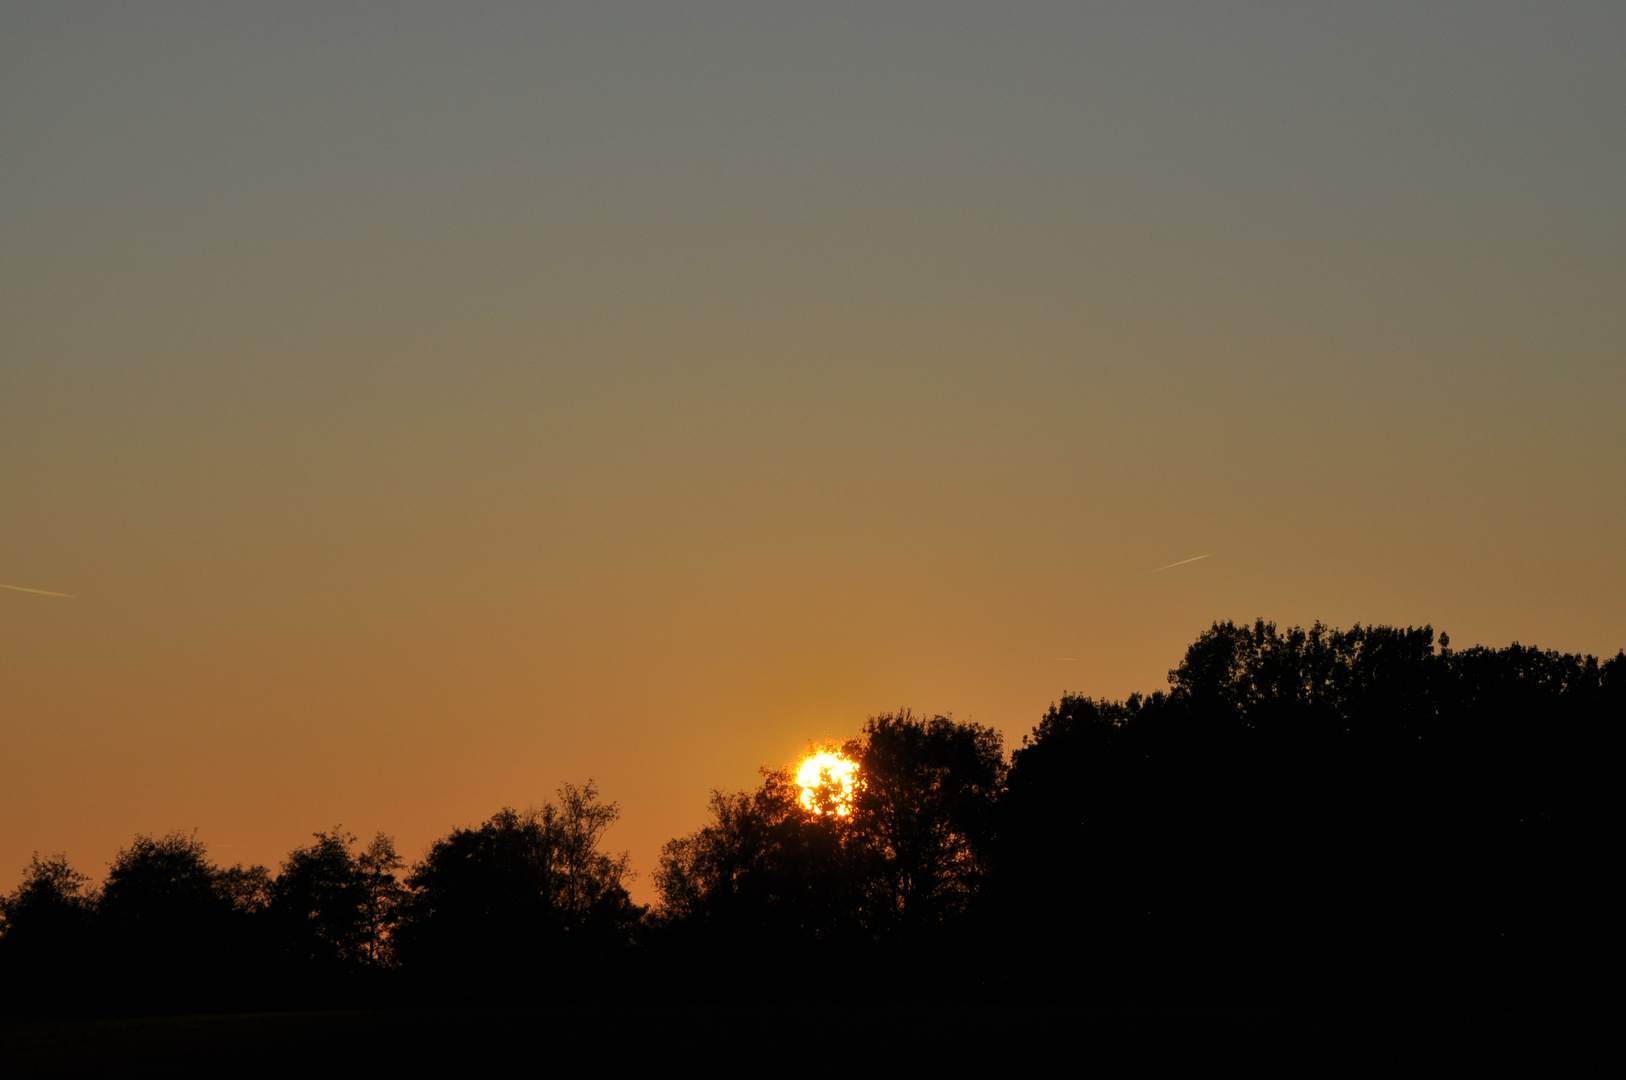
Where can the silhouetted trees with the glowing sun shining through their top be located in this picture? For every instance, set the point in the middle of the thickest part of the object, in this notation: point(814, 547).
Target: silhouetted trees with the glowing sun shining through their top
point(905, 863)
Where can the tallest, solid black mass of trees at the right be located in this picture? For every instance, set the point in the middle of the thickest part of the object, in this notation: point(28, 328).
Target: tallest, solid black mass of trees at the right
point(1328, 809)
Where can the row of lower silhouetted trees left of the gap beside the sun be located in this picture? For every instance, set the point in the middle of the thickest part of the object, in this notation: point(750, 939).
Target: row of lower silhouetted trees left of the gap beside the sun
point(490, 910)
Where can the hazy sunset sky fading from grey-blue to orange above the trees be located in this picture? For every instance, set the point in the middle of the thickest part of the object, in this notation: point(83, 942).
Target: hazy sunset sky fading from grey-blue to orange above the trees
point(435, 404)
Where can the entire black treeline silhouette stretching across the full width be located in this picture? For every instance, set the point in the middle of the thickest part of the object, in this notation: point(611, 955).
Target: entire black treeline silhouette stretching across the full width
point(1329, 814)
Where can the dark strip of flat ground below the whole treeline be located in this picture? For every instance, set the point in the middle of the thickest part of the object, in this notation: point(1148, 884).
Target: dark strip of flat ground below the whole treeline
point(864, 1039)
